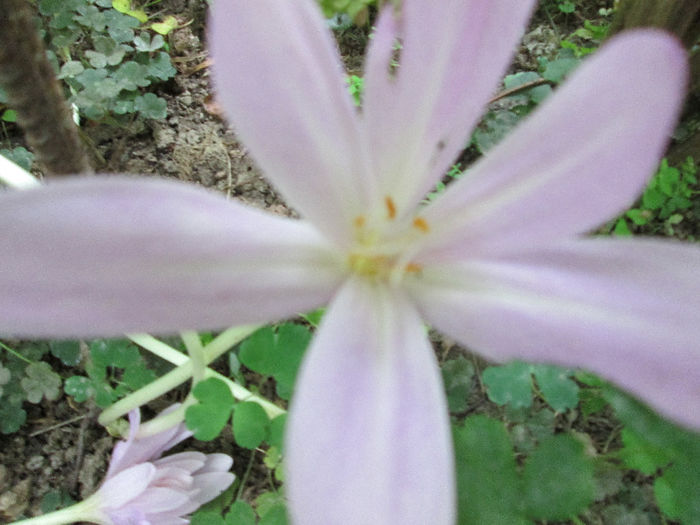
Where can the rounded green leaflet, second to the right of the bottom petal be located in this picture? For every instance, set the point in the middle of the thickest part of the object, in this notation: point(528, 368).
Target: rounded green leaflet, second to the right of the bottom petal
point(558, 479)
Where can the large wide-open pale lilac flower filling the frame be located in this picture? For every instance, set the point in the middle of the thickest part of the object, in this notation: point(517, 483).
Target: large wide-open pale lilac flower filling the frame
point(500, 262)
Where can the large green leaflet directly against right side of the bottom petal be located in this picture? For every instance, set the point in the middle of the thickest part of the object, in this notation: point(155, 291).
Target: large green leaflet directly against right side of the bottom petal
point(488, 487)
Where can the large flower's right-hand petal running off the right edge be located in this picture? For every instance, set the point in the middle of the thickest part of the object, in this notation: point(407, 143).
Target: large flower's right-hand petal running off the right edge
point(629, 310)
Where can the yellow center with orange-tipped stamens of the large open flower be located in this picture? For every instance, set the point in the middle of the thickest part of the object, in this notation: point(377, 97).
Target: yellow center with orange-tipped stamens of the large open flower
point(382, 250)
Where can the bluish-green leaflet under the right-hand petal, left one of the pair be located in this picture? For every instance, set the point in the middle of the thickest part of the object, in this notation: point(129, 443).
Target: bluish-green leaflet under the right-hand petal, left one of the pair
point(509, 384)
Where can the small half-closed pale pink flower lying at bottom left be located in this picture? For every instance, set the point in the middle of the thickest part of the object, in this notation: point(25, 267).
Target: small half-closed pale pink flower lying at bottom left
point(145, 489)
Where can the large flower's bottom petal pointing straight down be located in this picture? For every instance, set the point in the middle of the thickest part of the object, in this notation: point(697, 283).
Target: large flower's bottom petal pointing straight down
point(368, 436)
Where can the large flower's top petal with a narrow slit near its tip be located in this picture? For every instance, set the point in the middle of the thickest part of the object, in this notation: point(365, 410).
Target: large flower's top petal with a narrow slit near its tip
point(453, 55)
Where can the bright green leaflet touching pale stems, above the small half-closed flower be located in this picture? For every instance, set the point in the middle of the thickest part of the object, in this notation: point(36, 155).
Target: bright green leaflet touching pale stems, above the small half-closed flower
point(207, 418)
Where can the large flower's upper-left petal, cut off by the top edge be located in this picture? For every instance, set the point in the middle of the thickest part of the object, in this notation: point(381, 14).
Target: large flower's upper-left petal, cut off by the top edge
point(280, 80)
